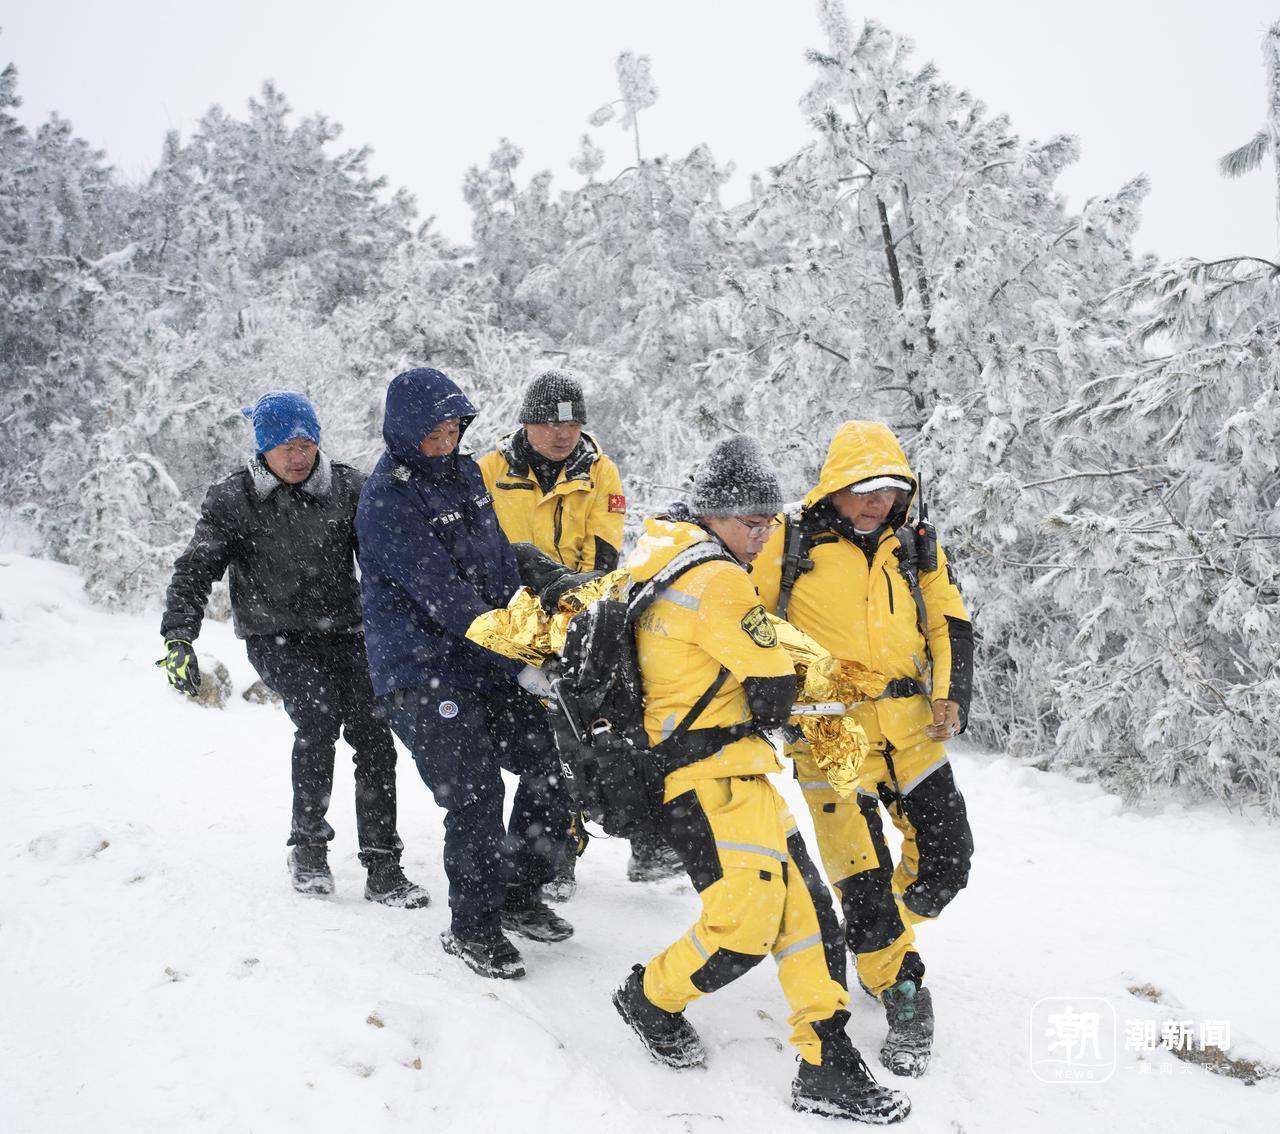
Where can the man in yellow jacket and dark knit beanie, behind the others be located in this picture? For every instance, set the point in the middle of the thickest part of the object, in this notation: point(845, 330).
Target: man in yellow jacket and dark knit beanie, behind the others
point(554, 488)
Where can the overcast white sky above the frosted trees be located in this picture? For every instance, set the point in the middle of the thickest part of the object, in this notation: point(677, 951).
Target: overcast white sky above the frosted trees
point(1149, 88)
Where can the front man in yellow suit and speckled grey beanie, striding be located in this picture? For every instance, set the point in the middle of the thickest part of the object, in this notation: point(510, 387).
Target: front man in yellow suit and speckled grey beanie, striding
point(710, 661)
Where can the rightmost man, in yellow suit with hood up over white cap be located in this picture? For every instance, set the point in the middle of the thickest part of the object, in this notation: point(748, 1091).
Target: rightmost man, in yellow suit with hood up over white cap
point(871, 595)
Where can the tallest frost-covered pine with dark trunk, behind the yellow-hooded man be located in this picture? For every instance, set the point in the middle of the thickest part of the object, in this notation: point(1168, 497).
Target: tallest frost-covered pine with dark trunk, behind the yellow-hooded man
point(929, 276)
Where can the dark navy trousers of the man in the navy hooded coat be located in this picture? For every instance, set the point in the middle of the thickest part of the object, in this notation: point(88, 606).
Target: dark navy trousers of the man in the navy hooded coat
point(461, 740)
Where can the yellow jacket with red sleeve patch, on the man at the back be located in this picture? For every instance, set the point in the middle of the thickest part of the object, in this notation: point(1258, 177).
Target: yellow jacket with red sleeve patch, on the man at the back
point(586, 505)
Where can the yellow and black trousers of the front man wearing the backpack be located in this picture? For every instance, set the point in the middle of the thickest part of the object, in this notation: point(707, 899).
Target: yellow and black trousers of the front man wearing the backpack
point(740, 845)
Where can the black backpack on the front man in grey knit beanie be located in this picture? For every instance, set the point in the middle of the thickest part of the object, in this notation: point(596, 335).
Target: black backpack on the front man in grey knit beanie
point(615, 774)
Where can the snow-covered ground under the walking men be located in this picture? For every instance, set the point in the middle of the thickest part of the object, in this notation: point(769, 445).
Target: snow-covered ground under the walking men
point(158, 973)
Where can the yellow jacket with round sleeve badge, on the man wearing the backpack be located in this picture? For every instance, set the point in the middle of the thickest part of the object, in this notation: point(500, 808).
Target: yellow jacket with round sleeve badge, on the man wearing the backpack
point(708, 619)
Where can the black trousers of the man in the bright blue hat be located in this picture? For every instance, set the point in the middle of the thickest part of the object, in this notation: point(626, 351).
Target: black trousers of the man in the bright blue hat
point(323, 680)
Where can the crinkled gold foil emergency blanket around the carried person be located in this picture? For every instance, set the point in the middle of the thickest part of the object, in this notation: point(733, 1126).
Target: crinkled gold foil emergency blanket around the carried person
point(524, 632)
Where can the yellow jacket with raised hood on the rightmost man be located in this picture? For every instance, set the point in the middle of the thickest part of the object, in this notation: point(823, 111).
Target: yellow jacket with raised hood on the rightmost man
point(865, 611)
